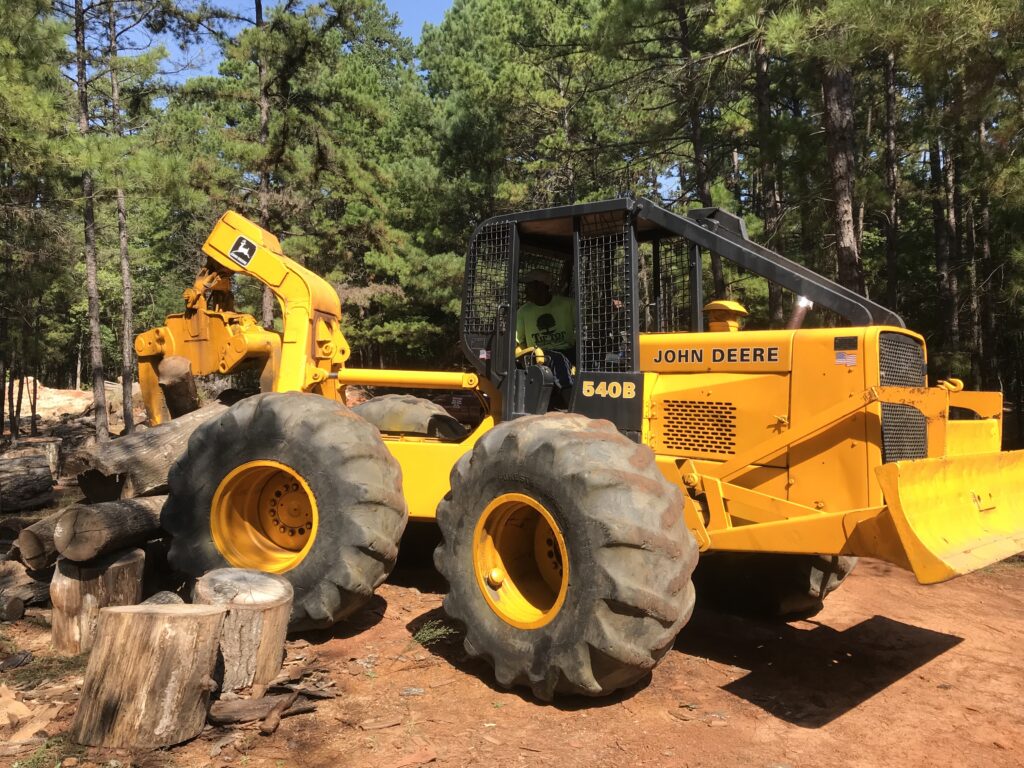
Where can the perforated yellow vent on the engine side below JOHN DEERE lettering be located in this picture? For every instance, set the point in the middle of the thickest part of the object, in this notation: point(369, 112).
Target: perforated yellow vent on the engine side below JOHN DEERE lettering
point(698, 428)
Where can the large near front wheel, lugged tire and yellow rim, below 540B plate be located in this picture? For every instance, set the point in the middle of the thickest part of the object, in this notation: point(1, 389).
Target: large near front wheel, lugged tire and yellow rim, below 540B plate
point(567, 554)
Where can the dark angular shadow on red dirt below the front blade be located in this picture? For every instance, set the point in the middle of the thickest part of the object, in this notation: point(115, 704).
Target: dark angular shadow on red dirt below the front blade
point(806, 673)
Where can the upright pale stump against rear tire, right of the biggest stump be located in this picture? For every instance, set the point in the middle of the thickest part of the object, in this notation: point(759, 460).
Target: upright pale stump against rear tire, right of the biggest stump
point(252, 646)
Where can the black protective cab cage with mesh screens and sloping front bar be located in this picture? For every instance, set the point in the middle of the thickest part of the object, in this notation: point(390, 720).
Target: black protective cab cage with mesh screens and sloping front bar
point(632, 267)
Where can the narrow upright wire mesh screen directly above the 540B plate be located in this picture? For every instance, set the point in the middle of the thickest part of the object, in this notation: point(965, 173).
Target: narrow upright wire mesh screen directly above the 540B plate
point(605, 340)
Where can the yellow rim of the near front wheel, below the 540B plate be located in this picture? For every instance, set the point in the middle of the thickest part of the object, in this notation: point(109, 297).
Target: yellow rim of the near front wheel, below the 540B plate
point(521, 561)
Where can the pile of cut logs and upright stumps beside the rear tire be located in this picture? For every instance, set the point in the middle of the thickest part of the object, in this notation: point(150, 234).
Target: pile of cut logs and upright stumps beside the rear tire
point(155, 666)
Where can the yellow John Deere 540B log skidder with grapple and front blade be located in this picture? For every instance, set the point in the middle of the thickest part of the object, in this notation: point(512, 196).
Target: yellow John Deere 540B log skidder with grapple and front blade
point(571, 534)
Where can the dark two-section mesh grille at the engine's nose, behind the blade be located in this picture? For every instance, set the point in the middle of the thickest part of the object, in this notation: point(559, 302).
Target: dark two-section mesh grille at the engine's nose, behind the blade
point(905, 432)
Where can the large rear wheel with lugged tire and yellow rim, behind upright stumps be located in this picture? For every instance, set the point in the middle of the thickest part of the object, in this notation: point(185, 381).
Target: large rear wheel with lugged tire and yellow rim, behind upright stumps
point(291, 484)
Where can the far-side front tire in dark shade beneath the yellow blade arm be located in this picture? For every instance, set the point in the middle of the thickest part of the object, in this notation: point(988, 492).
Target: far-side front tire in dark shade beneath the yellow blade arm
point(773, 586)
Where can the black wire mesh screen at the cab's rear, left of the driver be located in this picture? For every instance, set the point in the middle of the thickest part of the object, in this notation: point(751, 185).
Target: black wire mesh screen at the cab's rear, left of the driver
point(487, 282)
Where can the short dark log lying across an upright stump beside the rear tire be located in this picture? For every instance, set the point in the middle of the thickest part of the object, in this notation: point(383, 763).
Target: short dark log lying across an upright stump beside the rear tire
point(84, 532)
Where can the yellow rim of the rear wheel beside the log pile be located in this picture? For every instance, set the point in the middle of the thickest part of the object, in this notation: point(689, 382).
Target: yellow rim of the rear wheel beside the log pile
point(264, 517)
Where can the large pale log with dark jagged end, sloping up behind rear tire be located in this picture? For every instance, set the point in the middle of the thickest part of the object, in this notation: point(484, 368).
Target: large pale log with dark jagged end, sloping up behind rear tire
point(138, 464)
